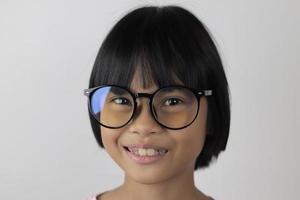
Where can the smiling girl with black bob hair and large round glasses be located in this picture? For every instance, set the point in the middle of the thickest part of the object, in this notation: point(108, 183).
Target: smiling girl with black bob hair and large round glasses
point(159, 103)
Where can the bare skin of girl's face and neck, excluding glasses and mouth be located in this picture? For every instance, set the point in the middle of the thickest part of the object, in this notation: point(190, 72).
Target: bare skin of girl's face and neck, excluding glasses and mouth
point(171, 178)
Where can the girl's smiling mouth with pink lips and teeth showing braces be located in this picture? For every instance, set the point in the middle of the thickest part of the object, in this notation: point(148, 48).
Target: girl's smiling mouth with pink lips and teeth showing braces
point(142, 154)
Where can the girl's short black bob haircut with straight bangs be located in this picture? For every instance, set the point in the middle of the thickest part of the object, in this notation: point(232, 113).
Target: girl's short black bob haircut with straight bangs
point(164, 44)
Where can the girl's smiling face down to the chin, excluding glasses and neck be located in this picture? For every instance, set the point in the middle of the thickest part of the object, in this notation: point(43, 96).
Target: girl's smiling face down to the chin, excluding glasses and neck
point(183, 146)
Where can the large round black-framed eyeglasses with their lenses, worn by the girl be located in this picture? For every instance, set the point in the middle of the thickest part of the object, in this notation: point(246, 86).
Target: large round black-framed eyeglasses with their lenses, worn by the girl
point(173, 107)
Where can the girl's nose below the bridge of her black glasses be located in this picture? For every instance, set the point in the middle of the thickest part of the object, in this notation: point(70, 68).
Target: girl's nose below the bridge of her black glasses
point(143, 122)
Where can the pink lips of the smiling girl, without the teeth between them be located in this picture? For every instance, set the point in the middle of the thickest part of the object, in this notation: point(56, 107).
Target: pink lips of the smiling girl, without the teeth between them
point(144, 159)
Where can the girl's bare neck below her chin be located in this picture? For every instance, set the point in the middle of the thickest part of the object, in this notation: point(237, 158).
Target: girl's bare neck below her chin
point(174, 188)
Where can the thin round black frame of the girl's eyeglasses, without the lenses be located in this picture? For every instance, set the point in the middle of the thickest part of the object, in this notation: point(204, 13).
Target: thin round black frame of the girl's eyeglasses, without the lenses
point(198, 94)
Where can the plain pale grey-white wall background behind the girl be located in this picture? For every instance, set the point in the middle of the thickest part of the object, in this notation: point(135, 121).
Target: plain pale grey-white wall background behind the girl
point(47, 49)
